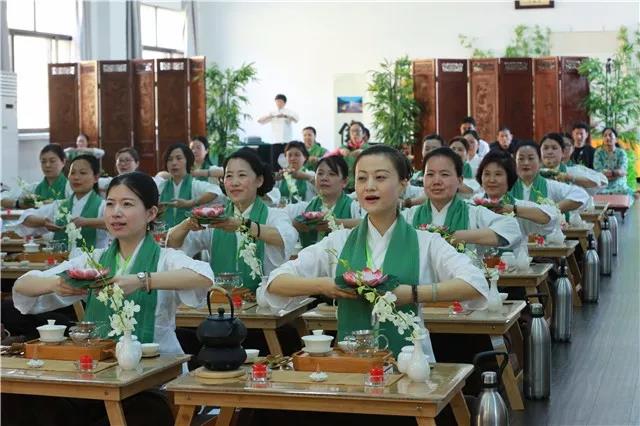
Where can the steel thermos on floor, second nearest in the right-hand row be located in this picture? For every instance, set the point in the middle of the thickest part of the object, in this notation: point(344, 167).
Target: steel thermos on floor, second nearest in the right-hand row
point(537, 356)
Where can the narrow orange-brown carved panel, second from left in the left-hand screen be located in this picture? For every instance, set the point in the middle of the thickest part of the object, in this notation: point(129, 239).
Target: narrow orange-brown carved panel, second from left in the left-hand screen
point(89, 112)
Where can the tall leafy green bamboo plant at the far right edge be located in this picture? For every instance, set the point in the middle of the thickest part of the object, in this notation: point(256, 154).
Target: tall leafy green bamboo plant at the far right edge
point(614, 92)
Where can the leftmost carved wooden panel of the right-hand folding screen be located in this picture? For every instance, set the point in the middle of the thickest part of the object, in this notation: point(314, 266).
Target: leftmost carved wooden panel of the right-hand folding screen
point(424, 90)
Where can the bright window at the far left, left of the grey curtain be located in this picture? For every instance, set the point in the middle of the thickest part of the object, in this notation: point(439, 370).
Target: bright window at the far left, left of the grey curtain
point(40, 32)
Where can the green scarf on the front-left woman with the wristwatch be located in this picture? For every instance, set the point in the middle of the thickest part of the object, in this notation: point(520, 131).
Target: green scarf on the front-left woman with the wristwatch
point(146, 260)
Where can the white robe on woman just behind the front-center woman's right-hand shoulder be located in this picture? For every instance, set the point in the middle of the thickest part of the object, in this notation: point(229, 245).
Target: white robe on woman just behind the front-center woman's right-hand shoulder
point(479, 218)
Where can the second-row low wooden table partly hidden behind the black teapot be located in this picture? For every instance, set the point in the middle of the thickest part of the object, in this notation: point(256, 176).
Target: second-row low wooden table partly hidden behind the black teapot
point(255, 317)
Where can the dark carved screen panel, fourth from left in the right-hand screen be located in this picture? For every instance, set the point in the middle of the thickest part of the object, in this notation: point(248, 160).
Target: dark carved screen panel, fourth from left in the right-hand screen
point(516, 96)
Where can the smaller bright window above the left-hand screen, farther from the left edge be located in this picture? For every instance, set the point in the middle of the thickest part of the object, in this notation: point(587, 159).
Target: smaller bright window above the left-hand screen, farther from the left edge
point(162, 32)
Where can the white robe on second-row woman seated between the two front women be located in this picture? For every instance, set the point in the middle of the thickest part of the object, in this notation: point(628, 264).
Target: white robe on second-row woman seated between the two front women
point(196, 241)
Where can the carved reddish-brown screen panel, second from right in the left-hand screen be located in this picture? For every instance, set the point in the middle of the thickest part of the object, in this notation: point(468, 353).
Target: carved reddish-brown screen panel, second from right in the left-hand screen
point(172, 102)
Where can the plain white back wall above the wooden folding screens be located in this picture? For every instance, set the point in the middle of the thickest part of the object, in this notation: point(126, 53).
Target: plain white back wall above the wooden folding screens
point(300, 48)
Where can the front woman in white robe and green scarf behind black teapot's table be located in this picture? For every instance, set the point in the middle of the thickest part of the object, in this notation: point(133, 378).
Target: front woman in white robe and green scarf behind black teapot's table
point(440, 273)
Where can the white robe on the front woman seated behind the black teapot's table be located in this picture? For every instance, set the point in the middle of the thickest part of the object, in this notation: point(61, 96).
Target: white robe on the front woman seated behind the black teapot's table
point(438, 262)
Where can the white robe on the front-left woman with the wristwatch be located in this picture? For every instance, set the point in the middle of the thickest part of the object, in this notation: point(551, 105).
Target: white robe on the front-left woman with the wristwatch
point(168, 300)
